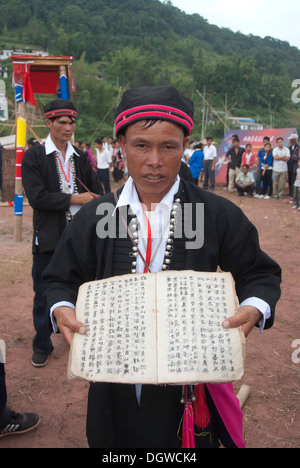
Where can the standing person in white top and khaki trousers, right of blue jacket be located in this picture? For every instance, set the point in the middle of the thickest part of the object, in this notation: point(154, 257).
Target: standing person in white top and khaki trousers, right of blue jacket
point(281, 156)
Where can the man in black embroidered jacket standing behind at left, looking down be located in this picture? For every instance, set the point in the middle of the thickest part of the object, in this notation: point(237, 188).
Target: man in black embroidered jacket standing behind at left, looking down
point(58, 180)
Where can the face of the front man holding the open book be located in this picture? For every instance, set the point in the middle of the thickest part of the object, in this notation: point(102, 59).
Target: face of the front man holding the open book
point(153, 156)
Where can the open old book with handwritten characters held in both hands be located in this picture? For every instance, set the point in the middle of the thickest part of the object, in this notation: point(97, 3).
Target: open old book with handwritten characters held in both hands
point(158, 328)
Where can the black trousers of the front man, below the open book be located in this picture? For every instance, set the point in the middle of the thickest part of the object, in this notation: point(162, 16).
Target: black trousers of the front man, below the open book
point(115, 420)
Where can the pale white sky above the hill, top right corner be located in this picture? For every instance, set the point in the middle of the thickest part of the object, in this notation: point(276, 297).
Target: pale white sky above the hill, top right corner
point(276, 18)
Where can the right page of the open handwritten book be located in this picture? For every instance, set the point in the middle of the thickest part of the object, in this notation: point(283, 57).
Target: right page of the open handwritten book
point(193, 347)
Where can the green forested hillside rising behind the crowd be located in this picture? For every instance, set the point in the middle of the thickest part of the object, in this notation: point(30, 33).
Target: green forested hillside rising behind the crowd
point(119, 43)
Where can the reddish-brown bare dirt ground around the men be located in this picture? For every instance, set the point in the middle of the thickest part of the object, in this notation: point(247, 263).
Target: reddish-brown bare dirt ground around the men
point(271, 413)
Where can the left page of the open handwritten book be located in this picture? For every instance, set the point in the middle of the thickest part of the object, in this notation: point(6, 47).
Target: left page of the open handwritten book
point(120, 345)
